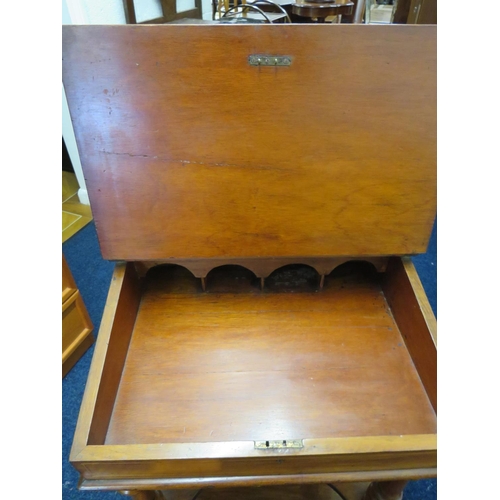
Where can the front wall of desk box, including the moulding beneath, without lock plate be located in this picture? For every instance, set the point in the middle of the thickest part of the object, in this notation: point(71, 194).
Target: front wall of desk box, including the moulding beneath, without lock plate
point(238, 463)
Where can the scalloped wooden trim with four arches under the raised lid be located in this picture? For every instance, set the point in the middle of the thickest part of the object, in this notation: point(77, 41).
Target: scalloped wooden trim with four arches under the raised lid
point(261, 267)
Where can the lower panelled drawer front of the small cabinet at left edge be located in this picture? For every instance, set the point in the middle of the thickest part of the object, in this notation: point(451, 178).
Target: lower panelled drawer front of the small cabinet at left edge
point(76, 330)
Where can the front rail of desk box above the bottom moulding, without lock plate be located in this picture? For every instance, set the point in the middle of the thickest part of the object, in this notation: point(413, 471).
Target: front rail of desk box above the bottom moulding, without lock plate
point(231, 459)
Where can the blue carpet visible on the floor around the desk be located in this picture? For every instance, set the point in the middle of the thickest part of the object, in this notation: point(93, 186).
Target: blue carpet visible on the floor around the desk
point(93, 275)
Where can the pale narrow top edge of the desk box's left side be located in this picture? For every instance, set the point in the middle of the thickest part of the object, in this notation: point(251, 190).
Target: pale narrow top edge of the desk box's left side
point(98, 360)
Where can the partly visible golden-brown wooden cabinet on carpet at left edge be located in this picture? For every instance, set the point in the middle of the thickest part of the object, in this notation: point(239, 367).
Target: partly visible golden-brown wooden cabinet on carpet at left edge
point(76, 324)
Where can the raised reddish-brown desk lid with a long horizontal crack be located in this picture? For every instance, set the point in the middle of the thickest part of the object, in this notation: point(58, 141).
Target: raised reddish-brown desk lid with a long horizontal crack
point(190, 152)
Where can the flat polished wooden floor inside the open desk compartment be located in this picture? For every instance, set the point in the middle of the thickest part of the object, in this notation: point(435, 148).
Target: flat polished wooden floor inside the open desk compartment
point(236, 363)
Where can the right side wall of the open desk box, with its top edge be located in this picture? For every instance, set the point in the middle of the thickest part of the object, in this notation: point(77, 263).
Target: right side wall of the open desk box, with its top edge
point(416, 321)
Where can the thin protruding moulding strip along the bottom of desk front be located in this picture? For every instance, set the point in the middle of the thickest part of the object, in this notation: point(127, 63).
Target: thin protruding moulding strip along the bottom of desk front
point(271, 480)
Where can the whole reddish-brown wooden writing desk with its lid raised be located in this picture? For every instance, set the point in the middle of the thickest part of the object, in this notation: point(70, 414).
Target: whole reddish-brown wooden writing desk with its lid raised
point(264, 324)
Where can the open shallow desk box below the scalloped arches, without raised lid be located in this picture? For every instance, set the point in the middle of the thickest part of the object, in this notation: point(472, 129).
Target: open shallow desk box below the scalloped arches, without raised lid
point(290, 383)
